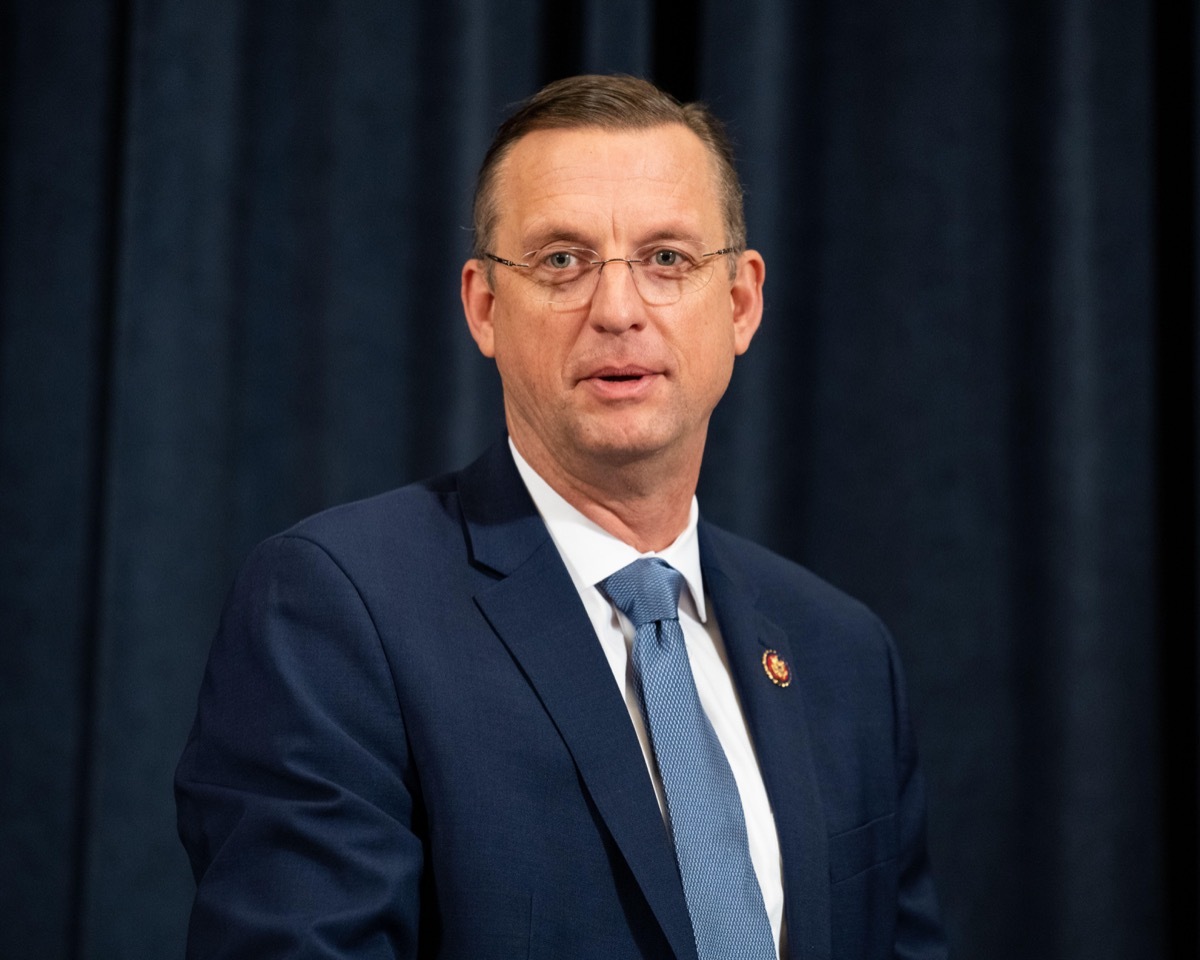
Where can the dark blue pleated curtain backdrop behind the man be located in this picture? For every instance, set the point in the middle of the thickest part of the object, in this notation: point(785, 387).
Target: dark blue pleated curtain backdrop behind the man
point(229, 298)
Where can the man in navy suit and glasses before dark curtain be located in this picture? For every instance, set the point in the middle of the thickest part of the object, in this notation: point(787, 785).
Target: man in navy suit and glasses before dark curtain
point(422, 731)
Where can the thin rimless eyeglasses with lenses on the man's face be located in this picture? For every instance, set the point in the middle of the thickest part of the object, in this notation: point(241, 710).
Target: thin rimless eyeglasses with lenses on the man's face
point(664, 273)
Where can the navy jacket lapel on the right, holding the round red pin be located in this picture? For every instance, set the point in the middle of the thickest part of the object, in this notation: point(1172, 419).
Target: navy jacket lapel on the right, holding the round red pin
point(781, 735)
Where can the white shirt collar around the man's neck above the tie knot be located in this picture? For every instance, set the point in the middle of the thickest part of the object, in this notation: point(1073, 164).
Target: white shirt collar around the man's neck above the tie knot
point(593, 554)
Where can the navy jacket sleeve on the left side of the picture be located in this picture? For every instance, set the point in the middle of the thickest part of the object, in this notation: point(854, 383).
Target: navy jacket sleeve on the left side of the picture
point(296, 793)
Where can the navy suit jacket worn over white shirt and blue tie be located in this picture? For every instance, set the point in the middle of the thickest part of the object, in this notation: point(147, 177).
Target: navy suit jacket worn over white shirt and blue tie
point(410, 745)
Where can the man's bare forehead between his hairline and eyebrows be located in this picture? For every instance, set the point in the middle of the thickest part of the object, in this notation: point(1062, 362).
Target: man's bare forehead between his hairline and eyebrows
point(608, 185)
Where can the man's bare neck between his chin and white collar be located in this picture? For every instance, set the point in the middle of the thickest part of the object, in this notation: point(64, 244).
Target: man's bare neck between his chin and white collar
point(644, 501)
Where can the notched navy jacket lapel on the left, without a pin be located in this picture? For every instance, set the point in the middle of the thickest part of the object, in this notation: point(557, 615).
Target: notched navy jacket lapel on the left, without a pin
point(536, 611)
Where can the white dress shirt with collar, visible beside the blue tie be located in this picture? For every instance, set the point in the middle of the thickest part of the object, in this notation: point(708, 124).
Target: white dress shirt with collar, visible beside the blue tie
point(591, 554)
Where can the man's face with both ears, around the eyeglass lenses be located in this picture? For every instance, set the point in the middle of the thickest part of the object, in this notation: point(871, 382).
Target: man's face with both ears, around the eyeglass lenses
point(611, 380)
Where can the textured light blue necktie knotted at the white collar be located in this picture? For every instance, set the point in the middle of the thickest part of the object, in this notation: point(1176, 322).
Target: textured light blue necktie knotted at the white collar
point(724, 899)
